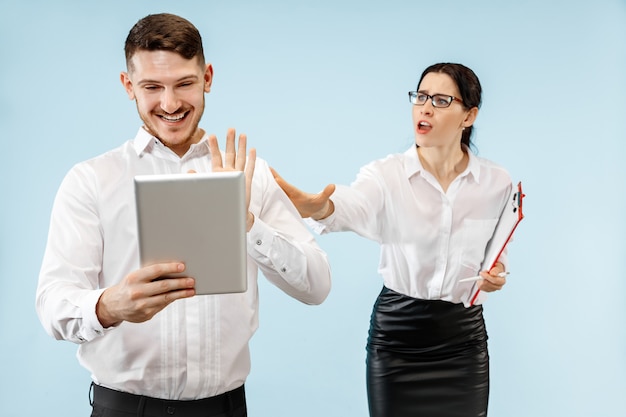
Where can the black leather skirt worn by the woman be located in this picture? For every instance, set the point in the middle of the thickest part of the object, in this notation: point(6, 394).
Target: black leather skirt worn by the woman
point(426, 358)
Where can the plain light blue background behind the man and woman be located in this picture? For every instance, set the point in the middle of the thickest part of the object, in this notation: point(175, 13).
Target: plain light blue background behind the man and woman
point(320, 89)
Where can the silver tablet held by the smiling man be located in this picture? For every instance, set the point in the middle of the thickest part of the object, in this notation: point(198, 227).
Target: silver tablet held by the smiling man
point(198, 219)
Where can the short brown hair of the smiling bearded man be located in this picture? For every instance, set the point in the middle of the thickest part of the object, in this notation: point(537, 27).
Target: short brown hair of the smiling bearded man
point(164, 32)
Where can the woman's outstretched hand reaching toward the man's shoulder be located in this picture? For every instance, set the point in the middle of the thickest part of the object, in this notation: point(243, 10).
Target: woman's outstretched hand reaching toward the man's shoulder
point(317, 206)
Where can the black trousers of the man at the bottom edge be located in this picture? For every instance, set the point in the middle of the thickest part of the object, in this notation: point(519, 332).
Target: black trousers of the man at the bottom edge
point(142, 405)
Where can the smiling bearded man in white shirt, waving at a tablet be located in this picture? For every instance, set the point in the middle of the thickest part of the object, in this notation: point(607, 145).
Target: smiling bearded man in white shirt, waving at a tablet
point(151, 346)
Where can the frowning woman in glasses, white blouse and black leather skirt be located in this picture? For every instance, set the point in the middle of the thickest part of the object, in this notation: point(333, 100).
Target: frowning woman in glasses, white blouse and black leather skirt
point(432, 209)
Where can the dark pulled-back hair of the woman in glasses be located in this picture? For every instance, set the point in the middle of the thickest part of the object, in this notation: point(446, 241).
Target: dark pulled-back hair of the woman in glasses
point(469, 88)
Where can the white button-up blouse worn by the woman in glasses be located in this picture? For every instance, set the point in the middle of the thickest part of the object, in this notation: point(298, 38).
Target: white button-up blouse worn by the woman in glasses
point(430, 239)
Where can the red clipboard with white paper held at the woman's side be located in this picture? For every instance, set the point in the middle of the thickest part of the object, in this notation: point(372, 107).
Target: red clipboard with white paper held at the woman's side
point(511, 216)
